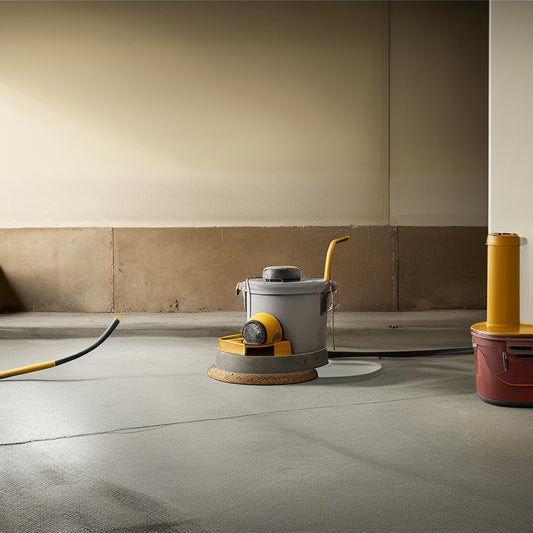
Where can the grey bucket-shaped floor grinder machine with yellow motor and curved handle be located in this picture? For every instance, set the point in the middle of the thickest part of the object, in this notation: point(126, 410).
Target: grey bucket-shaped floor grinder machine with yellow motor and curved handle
point(284, 338)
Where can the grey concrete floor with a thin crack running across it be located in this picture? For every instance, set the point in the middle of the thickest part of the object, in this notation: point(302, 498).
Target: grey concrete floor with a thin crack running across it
point(135, 437)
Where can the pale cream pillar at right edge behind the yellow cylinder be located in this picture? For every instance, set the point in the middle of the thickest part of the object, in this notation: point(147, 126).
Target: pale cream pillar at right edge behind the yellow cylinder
point(511, 158)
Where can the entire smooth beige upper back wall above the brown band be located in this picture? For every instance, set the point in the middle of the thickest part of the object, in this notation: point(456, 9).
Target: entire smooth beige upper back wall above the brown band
point(242, 113)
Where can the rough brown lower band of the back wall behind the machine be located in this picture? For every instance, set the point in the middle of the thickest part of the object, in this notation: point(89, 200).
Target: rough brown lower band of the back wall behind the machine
point(381, 268)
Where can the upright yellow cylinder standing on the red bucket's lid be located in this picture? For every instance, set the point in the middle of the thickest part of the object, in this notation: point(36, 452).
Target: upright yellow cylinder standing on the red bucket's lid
point(503, 279)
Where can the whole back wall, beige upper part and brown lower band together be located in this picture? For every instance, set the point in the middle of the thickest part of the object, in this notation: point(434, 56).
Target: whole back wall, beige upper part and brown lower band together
point(152, 154)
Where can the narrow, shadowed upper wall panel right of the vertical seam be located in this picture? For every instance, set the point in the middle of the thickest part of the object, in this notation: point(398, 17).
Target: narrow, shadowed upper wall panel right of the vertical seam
point(438, 113)
